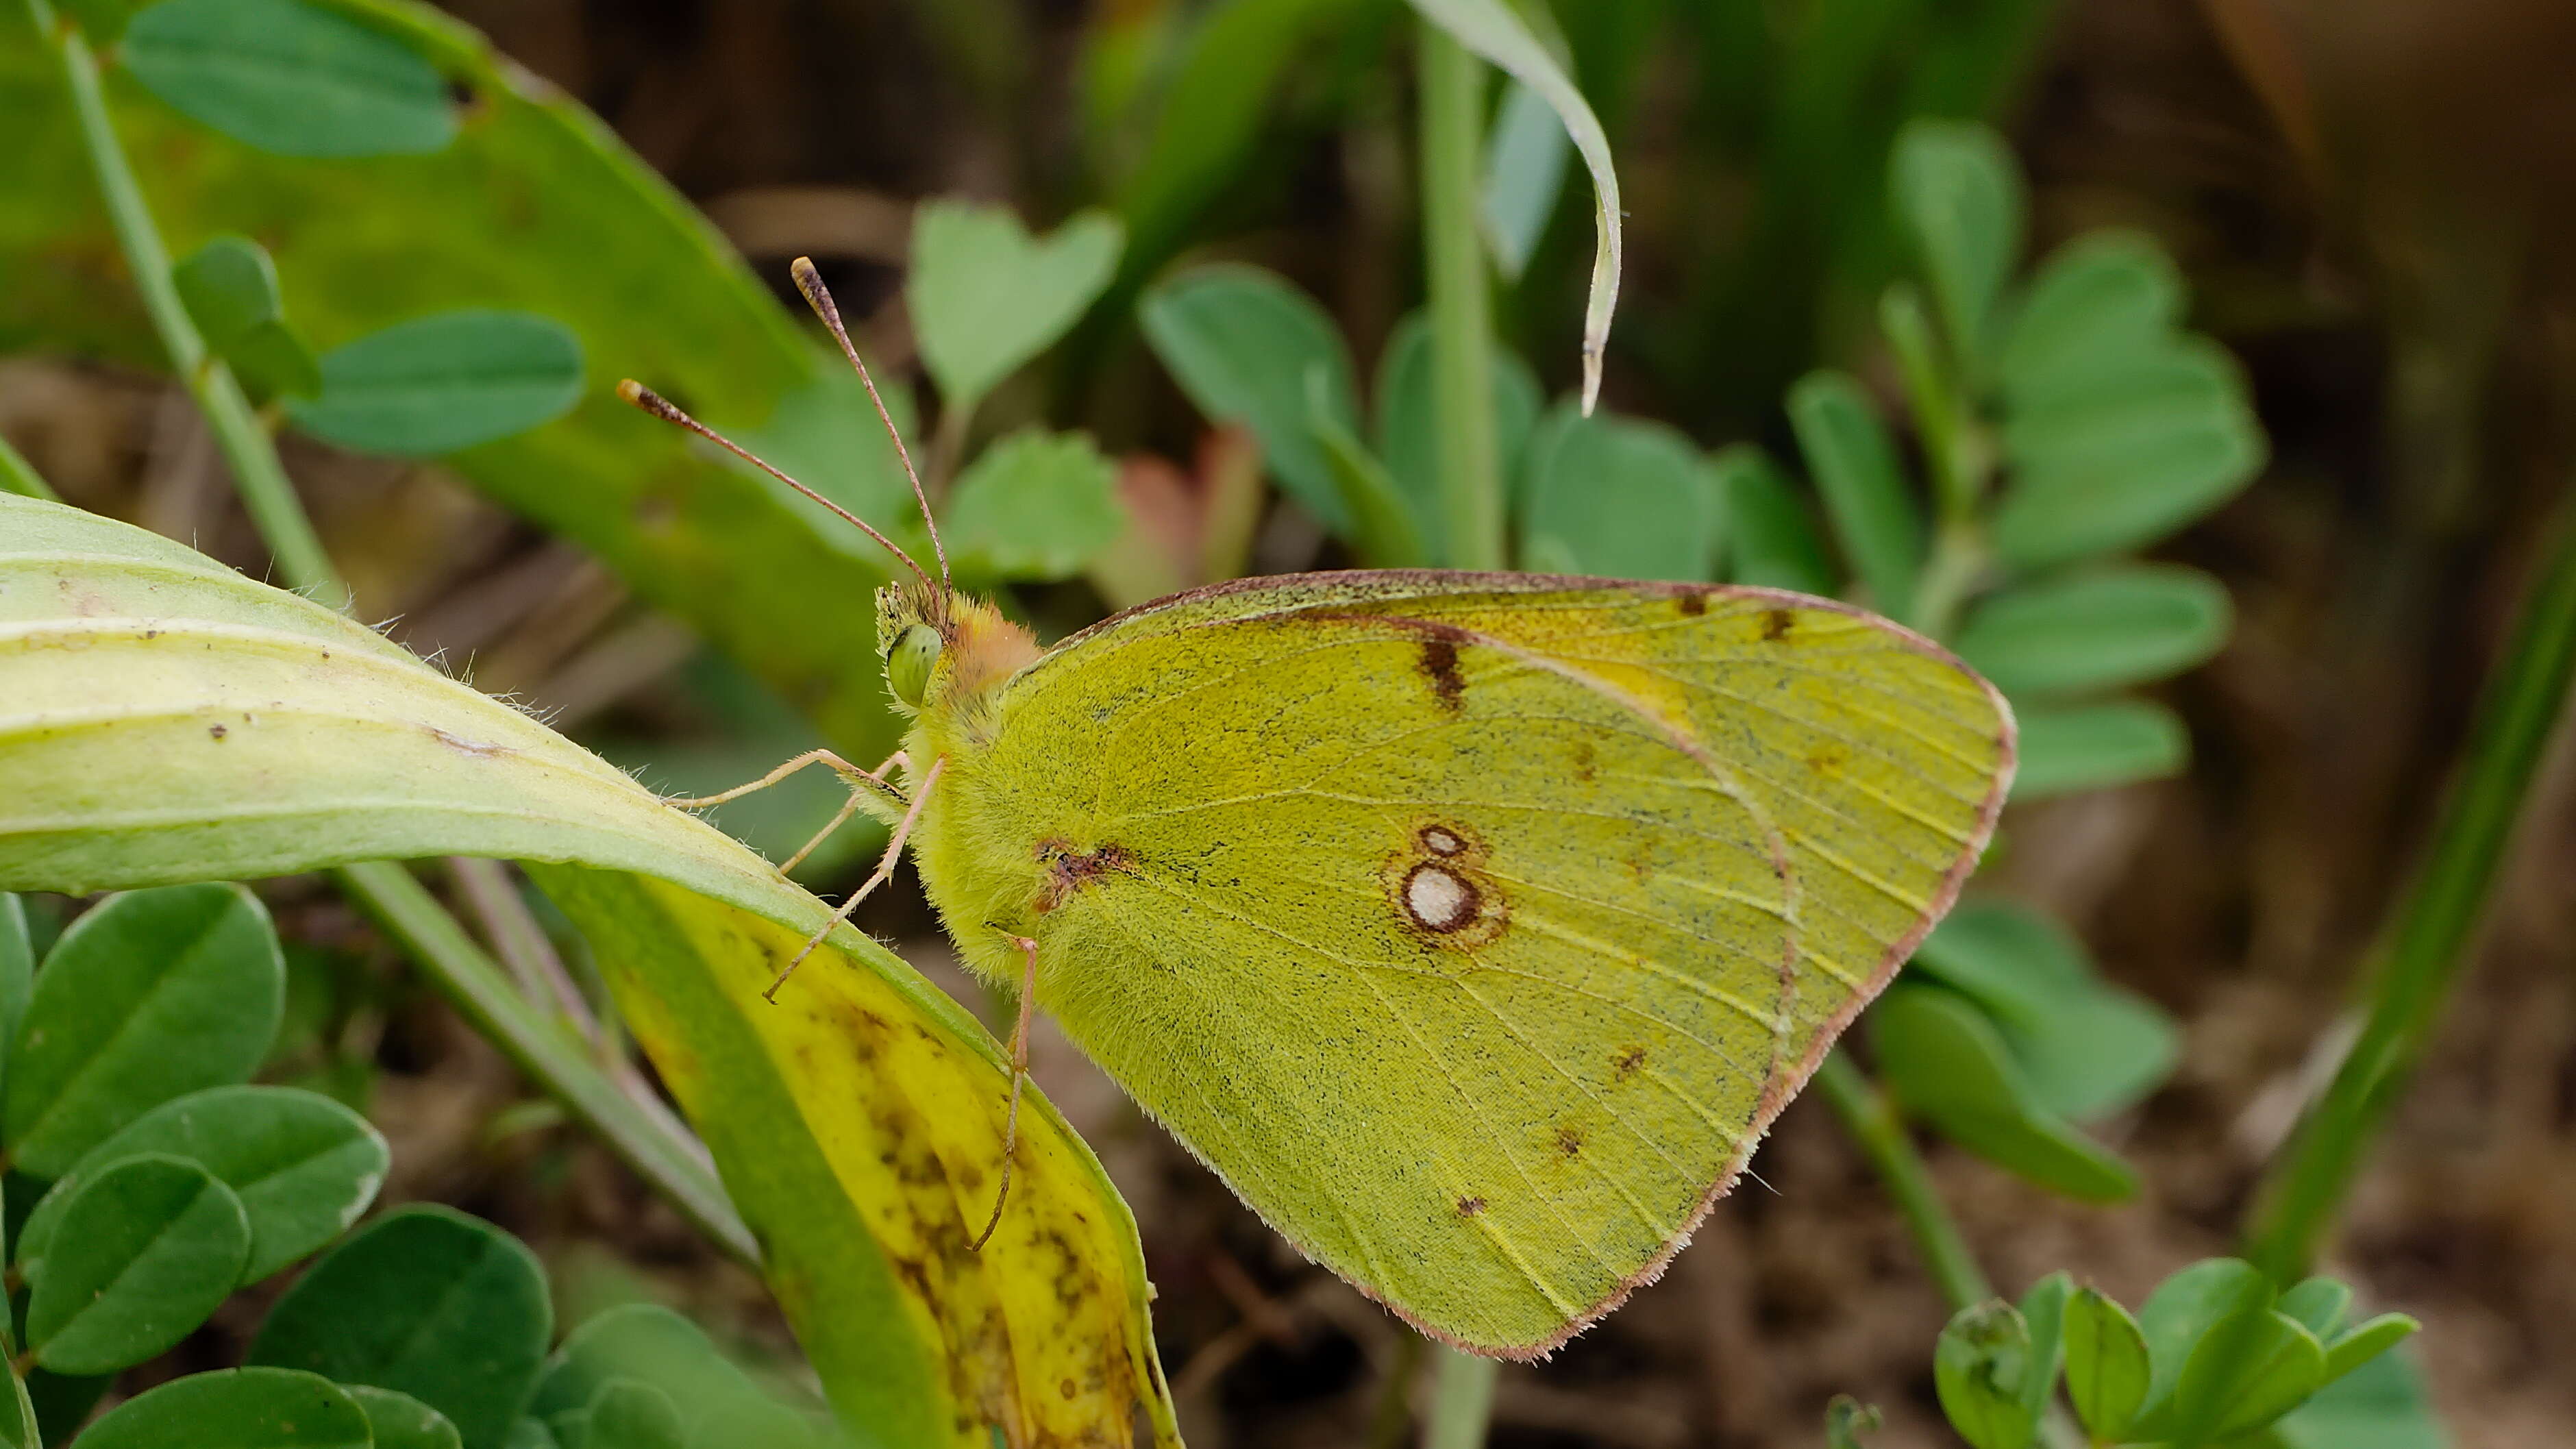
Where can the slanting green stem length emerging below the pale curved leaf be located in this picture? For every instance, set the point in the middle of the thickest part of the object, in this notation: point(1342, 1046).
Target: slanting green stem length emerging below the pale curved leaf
point(486, 997)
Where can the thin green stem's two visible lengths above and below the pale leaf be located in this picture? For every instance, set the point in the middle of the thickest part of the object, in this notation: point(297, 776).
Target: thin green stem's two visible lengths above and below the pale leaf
point(385, 891)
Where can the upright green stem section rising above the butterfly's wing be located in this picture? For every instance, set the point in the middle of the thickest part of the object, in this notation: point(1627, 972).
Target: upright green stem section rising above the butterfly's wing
point(1452, 102)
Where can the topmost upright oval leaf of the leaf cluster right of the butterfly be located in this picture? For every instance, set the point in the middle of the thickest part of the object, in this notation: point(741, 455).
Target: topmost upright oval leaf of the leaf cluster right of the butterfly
point(1959, 200)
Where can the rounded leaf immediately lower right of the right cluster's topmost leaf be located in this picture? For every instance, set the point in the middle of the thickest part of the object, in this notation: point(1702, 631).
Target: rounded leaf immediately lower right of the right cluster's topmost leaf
point(2096, 306)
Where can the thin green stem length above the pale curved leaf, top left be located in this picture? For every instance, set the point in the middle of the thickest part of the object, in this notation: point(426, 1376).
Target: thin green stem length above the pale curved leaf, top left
point(256, 471)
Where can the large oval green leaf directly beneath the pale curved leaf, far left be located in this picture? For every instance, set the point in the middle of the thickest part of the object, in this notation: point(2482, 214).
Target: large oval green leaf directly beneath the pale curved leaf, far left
point(146, 999)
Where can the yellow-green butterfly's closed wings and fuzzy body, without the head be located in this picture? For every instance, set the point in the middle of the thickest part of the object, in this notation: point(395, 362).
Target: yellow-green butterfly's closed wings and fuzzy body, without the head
point(1475, 927)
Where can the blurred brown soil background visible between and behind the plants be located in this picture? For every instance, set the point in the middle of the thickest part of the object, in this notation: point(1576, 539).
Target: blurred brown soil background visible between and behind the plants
point(2371, 202)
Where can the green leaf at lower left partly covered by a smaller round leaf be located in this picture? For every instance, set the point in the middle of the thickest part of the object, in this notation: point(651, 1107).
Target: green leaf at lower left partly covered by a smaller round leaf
point(300, 1164)
